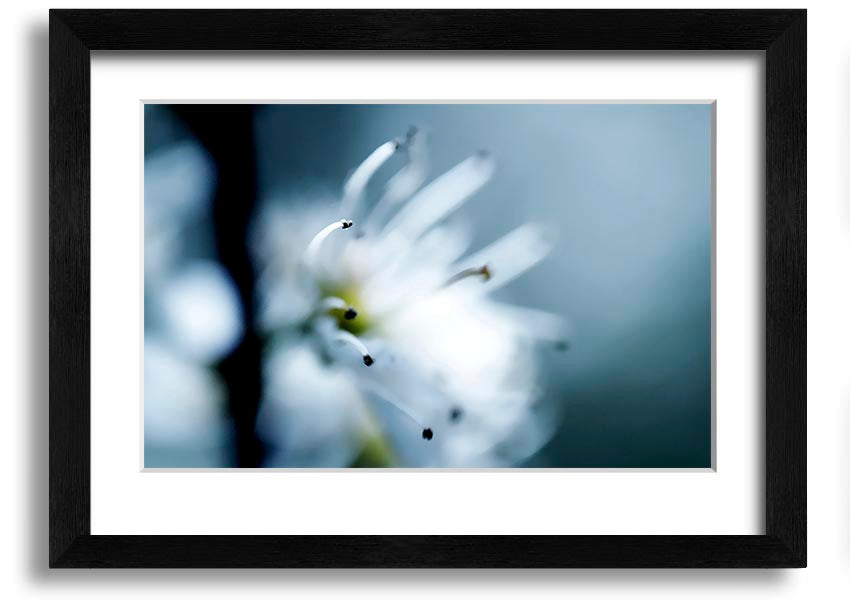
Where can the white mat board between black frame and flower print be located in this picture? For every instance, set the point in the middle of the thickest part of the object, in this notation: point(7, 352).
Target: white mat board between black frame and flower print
point(125, 500)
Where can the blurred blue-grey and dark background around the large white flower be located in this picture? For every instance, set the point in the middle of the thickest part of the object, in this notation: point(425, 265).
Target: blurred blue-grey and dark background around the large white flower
point(626, 190)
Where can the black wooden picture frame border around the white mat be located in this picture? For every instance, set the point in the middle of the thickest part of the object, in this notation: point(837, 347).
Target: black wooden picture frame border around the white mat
point(780, 33)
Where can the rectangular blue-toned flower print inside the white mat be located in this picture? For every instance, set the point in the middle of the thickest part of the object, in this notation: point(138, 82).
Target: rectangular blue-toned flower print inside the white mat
point(428, 285)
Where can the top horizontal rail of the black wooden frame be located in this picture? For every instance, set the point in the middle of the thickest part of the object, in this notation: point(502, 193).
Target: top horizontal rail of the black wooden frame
point(428, 29)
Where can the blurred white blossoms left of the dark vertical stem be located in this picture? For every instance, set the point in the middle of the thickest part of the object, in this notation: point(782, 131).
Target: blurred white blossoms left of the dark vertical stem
point(192, 314)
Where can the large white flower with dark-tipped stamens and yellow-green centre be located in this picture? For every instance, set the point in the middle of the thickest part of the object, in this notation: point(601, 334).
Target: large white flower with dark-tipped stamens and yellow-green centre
point(385, 345)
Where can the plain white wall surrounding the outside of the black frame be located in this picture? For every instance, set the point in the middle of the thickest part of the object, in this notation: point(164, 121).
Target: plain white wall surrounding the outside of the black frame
point(23, 235)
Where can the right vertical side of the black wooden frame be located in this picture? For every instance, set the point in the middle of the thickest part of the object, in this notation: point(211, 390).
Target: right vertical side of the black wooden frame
point(785, 296)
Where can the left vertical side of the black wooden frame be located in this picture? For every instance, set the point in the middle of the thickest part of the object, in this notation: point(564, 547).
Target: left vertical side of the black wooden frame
point(69, 288)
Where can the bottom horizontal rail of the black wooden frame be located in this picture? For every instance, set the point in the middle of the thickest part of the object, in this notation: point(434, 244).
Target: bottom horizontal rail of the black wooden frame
point(515, 551)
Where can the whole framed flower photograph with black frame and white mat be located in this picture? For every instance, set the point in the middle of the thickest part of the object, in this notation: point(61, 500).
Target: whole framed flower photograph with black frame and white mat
point(382, 288)
